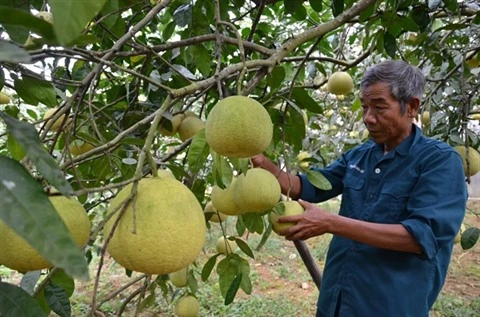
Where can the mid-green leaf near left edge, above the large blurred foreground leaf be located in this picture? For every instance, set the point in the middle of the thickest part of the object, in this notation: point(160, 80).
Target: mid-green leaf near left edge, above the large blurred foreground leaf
point(33, 91)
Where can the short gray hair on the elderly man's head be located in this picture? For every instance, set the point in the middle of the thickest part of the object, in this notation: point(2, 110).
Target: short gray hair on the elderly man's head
point(406, 81)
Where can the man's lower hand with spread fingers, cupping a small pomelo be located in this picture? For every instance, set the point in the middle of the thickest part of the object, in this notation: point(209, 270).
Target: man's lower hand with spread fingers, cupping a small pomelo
point(313, 222)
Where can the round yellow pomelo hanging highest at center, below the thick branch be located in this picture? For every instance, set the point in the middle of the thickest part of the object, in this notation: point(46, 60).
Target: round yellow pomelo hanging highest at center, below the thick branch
point(238, 126)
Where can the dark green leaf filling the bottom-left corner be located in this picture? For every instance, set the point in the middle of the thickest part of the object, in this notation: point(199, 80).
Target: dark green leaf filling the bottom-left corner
point(14, 301)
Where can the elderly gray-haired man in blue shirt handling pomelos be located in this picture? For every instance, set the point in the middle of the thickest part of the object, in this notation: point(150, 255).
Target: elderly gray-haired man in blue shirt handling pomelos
point(403, 201)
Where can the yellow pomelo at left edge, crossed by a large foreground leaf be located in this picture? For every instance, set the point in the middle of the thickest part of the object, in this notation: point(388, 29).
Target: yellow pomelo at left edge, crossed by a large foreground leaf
point(18, 254)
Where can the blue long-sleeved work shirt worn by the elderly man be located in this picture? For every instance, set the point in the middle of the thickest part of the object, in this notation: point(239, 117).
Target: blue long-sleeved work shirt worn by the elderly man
point(419, 184)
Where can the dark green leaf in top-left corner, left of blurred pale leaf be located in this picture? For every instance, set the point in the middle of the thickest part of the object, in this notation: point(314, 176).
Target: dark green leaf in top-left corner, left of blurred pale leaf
point(27, 22)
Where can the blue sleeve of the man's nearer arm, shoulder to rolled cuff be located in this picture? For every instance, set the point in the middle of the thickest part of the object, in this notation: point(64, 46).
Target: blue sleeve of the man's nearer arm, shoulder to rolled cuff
point(438, 202)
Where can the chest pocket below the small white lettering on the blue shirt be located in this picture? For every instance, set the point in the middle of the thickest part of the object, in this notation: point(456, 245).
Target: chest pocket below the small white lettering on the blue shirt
point(353, 195)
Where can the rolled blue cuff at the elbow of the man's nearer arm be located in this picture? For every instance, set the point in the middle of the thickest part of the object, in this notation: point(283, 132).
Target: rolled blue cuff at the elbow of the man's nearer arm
point(423, 234)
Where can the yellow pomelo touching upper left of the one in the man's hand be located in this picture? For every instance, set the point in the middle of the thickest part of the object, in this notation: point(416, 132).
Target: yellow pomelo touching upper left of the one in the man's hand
point(256, 191)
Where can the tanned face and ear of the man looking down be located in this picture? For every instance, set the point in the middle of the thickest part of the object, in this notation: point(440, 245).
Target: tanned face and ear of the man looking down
point(383, 118)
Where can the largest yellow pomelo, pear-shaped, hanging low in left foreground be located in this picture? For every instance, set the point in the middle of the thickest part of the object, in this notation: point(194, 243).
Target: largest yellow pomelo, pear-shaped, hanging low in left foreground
point(170, 227)
